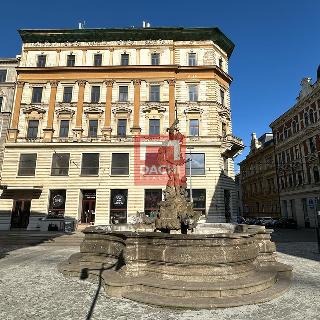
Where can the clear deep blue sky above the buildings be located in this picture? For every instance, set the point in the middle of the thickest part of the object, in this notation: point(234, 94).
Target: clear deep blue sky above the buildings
point(277, 42)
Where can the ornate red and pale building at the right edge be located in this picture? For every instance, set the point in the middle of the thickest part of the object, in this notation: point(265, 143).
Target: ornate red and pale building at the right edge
point(297, 148)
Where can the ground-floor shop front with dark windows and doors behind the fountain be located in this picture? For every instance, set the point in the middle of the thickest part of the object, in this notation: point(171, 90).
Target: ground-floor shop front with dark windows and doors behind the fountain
point(25, 208)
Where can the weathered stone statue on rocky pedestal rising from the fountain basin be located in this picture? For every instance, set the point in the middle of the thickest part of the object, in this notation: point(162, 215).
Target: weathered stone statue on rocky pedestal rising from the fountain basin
point(176, 211)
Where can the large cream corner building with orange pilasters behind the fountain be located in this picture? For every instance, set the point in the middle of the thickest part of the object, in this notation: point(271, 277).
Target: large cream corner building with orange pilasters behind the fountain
point(83, 96)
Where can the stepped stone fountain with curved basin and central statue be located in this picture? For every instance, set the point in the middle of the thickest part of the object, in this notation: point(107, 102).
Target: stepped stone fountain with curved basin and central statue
point(231, 266)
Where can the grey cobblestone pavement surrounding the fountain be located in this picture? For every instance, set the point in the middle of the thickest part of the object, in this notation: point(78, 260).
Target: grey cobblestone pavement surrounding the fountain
point(32, 288)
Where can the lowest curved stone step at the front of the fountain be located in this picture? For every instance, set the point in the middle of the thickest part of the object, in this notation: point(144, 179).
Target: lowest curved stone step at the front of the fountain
point(282, 283)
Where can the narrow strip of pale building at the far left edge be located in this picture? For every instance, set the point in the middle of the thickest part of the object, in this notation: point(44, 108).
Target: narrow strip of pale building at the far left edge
point(7, 85)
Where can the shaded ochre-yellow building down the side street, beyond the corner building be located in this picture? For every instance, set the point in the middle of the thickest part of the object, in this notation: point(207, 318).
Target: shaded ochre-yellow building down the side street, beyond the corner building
point(260, 196)
